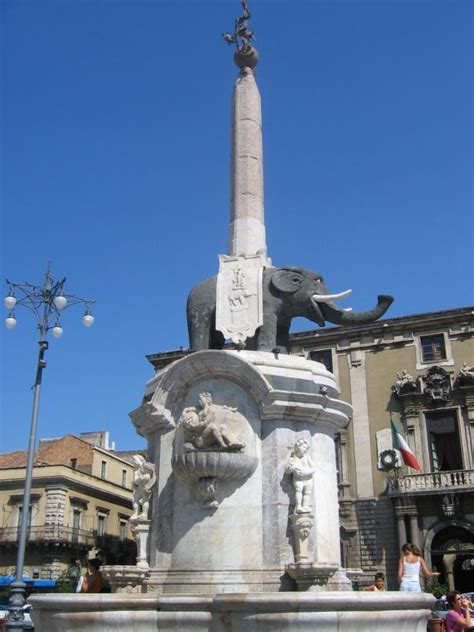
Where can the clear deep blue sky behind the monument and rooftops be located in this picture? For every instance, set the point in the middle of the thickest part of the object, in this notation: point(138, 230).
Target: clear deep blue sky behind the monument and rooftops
point(115, 166)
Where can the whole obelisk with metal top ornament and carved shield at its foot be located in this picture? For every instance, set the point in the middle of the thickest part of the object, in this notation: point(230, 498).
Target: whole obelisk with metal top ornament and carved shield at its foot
point(239, 306)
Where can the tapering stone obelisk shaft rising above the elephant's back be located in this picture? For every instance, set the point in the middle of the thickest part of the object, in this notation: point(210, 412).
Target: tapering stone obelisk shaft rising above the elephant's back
point(247, 227)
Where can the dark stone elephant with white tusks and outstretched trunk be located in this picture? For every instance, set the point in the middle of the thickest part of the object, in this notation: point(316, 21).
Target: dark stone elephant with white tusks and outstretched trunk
point(287, 292)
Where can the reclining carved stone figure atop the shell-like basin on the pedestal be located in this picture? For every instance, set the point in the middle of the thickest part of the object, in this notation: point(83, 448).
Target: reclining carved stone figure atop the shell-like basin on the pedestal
point(205, 426)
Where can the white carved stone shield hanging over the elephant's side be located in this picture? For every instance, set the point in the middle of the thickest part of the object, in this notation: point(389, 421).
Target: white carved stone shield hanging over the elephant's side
point(239, 302)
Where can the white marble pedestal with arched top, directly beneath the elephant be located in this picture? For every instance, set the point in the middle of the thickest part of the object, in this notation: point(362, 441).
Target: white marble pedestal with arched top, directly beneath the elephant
point(220, 520)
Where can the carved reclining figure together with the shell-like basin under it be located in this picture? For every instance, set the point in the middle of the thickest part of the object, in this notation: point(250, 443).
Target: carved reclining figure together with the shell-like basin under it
point(212, 448)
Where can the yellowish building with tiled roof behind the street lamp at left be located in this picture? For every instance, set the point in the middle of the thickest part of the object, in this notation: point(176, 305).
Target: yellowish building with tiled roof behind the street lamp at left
point(81, 501)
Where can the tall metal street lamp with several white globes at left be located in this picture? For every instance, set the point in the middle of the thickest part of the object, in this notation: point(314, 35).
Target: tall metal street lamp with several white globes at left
point(47, 303)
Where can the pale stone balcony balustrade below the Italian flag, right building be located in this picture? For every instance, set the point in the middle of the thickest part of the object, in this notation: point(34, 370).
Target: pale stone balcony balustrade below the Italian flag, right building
point(434, 482)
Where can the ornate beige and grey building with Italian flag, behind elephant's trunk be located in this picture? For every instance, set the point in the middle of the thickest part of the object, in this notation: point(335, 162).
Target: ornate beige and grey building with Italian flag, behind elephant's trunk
point(415, 370)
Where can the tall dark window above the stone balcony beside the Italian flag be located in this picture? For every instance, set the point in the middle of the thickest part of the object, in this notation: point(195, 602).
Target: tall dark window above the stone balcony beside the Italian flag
point(443, 438)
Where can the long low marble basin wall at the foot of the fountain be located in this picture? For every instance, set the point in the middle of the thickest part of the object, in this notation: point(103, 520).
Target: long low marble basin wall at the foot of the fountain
point(240, 612)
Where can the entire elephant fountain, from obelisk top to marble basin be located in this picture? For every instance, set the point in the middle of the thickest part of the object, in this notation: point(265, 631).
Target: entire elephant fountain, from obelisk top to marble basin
point(236, 509)
